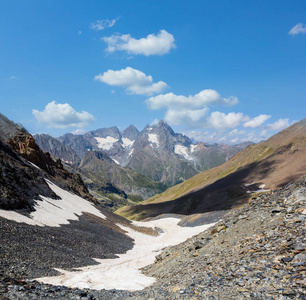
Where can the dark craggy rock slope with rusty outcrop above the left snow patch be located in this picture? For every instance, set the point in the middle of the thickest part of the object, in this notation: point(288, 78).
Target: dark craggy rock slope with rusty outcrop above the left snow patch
point(18, 150)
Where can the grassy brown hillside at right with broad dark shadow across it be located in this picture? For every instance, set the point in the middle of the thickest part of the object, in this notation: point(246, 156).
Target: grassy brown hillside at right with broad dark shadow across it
point(272, 163)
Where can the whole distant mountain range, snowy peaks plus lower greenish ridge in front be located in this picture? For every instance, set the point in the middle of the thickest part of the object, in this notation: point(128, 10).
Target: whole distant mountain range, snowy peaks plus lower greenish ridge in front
point(128, 164)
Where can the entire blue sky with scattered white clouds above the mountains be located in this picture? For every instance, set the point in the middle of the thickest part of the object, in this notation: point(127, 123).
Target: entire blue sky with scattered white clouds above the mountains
point(218, 71)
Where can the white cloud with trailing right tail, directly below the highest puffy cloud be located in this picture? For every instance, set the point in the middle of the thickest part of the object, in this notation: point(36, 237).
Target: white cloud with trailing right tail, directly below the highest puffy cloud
point(135, 81)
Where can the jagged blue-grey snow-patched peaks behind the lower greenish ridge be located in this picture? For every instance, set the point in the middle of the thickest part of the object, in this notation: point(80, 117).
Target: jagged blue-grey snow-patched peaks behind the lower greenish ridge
point(156, 152)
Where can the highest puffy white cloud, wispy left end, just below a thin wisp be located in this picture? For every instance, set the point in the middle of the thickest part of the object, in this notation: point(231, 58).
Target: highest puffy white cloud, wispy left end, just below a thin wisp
point(159, 44)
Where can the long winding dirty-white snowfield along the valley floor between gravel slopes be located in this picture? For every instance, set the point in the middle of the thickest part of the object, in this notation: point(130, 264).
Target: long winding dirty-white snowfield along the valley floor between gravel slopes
point(123, 273)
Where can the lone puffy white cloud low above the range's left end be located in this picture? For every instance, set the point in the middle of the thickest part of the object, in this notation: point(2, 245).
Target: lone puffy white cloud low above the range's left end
point(62, 116)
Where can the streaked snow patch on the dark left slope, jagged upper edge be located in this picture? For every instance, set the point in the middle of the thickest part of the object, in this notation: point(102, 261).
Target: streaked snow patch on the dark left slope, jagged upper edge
point(50, 212)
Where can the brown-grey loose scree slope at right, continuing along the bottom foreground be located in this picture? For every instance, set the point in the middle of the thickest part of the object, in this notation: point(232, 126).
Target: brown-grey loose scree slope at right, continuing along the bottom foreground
point(255, 252)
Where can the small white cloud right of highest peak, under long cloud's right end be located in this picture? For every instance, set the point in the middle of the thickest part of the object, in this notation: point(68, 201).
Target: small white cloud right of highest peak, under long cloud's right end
point(219, 120)
